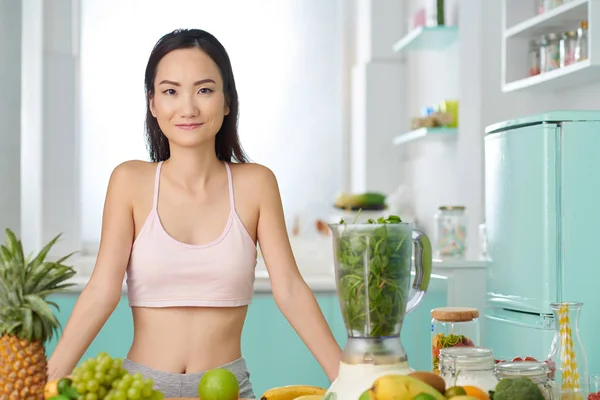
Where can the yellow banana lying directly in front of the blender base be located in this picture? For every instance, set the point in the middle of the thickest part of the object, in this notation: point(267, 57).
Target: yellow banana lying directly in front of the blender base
point(401, 387)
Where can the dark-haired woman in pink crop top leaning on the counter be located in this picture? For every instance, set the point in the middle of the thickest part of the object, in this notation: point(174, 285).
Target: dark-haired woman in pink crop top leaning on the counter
point(184, 228)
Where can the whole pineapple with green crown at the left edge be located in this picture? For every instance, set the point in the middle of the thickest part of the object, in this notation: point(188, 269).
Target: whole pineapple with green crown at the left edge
point(26, 319)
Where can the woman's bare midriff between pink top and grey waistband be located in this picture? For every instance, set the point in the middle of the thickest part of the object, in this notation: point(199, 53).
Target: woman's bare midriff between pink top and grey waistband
point(187, 340)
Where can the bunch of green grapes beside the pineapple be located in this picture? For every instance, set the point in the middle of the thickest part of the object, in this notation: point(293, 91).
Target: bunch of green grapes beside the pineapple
point(104, 378)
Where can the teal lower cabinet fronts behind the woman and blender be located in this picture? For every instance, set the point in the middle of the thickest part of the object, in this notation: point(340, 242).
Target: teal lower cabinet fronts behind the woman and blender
point(275, 354)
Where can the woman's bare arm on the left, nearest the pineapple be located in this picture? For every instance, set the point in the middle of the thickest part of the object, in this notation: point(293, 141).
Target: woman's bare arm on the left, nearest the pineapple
point(103, 291)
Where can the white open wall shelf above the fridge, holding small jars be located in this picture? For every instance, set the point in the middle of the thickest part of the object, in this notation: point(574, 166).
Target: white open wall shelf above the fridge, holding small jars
point(522, 25)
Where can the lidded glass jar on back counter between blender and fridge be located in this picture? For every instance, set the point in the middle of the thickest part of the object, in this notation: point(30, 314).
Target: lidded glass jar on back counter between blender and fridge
point(450, 232)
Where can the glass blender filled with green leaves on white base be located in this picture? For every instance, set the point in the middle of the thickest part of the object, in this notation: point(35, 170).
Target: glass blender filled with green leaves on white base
point(373, 279)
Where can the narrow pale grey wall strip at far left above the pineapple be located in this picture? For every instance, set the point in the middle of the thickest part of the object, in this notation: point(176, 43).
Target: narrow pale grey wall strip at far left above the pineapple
point(10, 107)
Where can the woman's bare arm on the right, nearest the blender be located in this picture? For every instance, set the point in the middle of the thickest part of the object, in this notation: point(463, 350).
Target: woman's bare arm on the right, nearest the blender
point(292, 295)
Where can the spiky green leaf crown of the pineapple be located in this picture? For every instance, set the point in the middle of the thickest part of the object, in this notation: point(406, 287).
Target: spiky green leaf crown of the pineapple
point(25, 282)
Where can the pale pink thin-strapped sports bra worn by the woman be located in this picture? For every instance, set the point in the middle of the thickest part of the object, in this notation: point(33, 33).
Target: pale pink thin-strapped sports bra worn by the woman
point(164, 272)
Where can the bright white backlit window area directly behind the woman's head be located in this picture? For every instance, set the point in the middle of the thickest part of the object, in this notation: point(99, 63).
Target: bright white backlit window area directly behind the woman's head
point(288, 61)
